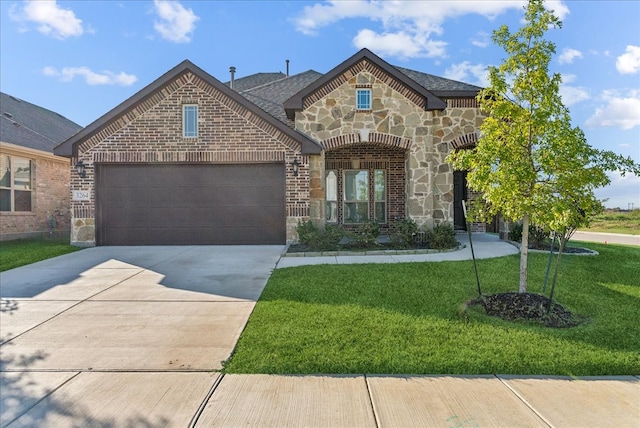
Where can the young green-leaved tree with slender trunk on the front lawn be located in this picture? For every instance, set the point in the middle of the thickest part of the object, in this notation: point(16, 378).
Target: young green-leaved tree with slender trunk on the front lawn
point(529, 162)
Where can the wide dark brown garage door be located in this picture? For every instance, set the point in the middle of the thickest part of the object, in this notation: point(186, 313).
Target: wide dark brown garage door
point(190, 204)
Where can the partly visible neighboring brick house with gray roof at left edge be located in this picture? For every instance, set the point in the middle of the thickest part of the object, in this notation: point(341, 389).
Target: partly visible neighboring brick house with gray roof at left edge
point(34, 183)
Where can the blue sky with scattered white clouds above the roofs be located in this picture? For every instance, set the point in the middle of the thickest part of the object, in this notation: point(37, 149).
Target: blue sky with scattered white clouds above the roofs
point(83, 58)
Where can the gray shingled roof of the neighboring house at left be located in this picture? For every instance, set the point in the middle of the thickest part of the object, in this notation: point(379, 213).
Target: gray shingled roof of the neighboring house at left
point(28, 125)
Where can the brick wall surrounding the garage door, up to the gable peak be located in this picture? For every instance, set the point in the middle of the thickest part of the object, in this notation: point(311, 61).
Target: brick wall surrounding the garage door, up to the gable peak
point(152, 133)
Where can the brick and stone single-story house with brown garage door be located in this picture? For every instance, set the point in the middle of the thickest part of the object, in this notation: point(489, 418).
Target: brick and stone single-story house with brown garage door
point(192, 160)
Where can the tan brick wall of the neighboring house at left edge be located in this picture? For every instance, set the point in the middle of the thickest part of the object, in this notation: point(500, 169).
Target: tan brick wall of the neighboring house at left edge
point(50, 215)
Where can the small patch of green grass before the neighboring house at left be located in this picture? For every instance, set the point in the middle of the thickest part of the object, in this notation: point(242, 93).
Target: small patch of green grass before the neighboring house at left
point(22, 252)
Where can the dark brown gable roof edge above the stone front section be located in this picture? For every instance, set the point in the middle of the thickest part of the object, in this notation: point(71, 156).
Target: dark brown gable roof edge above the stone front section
point(296, 102)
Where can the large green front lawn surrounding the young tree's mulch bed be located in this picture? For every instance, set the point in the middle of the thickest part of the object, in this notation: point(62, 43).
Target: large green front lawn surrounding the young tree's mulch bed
point(410, 318)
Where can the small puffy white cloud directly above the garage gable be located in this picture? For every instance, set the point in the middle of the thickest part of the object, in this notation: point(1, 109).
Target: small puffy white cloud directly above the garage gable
point(175, 23)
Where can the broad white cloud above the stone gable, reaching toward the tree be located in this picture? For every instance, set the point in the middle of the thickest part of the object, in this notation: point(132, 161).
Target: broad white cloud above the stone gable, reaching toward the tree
point(408, 29)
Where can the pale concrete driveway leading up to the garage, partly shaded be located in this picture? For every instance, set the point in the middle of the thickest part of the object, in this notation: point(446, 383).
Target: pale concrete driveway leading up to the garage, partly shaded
point(146, 313)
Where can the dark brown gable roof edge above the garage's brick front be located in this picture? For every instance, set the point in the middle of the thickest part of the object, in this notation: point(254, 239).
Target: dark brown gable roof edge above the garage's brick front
point(69, 147)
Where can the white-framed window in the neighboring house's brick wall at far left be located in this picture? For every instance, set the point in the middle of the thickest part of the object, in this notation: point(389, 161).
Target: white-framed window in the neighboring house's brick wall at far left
point(15, 184)
